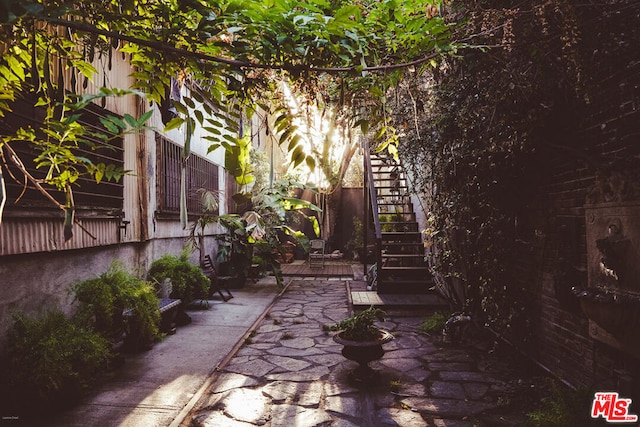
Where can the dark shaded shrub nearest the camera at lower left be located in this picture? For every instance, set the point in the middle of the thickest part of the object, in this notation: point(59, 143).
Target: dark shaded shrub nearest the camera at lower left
point(52, 360)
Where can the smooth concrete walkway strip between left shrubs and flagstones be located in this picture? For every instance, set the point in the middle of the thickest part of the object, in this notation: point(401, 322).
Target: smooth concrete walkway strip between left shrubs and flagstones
point(155, 388)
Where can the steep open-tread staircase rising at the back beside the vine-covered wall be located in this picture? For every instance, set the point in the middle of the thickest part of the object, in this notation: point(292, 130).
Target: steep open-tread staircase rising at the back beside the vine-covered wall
point(401, 267)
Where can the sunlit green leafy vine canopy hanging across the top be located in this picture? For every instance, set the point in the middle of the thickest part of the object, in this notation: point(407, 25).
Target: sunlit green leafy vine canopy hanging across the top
point(231, 52)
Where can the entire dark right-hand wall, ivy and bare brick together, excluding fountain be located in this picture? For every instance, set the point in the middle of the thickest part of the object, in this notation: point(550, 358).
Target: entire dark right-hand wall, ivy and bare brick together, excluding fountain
point(505, 143)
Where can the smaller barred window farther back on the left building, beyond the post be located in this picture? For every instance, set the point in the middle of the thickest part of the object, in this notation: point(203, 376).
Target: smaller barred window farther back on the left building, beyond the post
point(201, 174)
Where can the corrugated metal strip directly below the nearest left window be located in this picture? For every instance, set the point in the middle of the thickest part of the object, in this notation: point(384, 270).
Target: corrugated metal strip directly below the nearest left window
point(18, 236)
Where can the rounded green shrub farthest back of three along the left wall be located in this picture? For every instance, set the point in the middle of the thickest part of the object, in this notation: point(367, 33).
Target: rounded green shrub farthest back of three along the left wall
point(188, 282)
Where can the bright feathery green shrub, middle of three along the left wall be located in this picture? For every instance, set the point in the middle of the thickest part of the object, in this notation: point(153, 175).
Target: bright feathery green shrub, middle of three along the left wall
point(102, 301)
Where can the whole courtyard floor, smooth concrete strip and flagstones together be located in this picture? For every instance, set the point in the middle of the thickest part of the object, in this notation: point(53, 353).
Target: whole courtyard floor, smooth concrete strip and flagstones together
point(263, 359)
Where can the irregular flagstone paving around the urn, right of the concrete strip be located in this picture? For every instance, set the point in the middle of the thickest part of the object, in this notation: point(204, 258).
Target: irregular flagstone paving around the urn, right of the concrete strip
point(289, 372)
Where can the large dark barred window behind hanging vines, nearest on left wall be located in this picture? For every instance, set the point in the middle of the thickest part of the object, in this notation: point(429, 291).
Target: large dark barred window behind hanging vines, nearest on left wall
point(105, 197)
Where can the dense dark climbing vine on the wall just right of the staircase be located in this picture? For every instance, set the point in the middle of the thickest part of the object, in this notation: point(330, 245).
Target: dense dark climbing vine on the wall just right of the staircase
point(475, 132)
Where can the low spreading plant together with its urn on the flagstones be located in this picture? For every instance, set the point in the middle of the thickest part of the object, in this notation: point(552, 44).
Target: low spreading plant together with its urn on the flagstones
point(362, 341)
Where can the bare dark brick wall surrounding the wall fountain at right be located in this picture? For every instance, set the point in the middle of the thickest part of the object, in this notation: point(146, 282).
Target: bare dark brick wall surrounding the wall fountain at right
point(604, 132)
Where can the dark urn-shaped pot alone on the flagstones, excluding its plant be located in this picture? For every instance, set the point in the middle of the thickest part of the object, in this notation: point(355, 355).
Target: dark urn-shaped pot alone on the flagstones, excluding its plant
point(363, 352)
